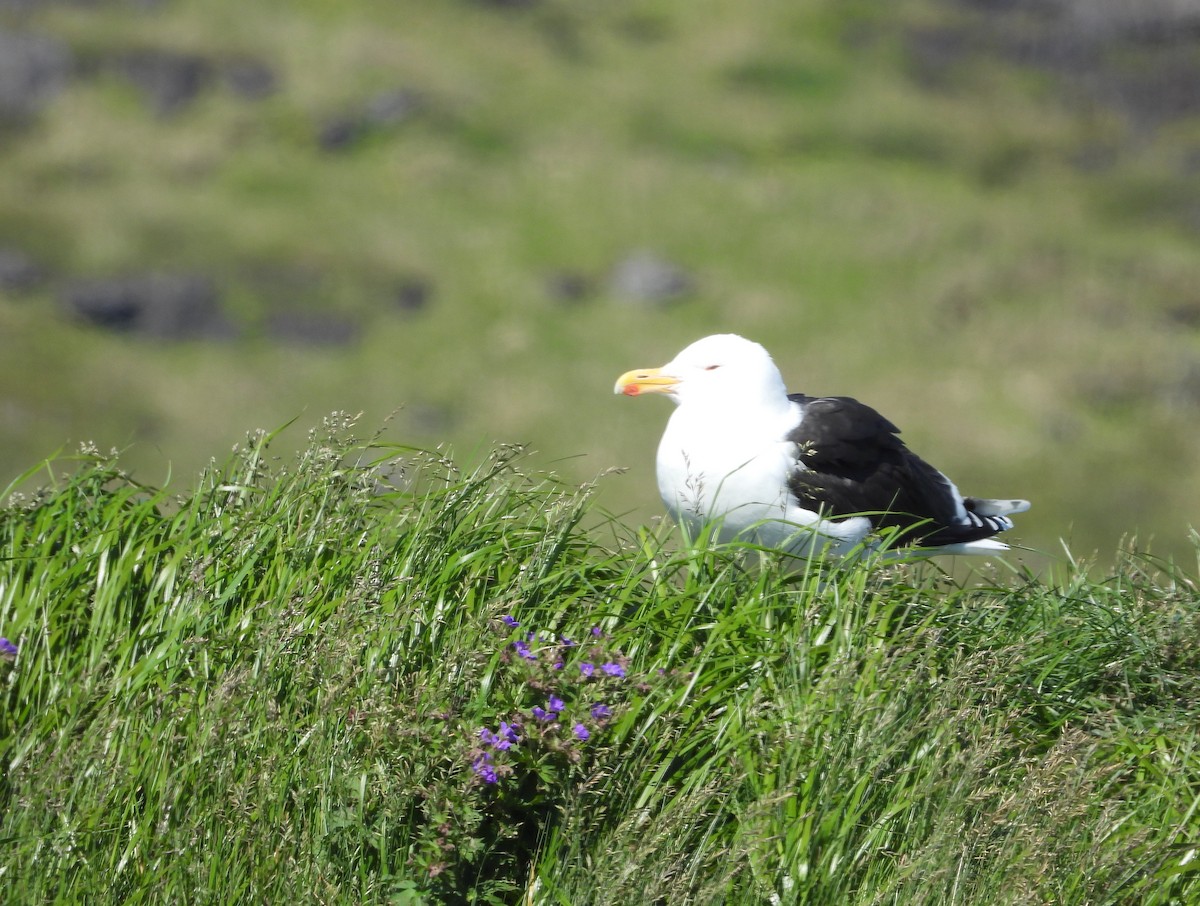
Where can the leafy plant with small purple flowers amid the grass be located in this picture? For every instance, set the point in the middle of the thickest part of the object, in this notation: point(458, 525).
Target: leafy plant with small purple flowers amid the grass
point(553, 724)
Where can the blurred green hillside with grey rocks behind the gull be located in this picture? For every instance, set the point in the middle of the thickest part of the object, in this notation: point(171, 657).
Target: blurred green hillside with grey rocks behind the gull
point(981, 217)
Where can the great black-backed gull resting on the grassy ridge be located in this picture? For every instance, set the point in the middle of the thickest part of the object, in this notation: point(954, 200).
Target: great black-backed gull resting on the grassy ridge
point(797, 473)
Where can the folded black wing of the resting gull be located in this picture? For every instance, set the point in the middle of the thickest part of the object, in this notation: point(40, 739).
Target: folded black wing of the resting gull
point(856, 465)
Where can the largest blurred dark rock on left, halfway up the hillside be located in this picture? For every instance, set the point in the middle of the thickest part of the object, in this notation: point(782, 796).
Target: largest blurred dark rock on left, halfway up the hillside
point(166, 307)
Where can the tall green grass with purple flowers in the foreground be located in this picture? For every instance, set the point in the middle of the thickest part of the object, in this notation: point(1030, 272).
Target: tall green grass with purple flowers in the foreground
point(274, 687)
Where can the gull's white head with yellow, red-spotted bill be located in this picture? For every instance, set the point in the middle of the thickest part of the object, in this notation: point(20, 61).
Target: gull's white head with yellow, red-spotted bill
point(719, 370)
